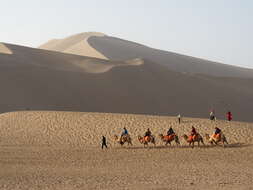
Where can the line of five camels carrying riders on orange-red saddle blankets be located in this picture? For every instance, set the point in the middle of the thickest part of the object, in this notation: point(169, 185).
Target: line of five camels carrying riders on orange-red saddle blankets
point(171, 137)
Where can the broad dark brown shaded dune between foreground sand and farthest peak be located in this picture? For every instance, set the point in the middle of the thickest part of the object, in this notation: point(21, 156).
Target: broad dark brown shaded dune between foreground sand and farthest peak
point(45, 80)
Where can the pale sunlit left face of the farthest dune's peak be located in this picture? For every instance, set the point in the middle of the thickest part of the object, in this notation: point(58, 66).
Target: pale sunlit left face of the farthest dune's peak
point(76, 44)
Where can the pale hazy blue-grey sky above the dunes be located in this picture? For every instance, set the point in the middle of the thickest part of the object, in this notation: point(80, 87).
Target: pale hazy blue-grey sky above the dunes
point(218, 30)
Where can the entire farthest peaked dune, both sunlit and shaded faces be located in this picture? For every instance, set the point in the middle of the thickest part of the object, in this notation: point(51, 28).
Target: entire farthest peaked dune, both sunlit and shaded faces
point(119, 49)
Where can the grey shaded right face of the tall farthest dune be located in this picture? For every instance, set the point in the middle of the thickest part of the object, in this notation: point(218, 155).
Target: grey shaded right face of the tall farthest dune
point(118, 49)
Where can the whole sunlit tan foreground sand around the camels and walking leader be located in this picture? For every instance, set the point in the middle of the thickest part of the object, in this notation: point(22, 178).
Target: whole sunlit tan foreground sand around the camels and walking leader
point(61, 150)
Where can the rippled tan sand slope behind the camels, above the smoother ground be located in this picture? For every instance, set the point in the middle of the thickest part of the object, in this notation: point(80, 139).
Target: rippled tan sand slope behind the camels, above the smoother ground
point(86, 129)
